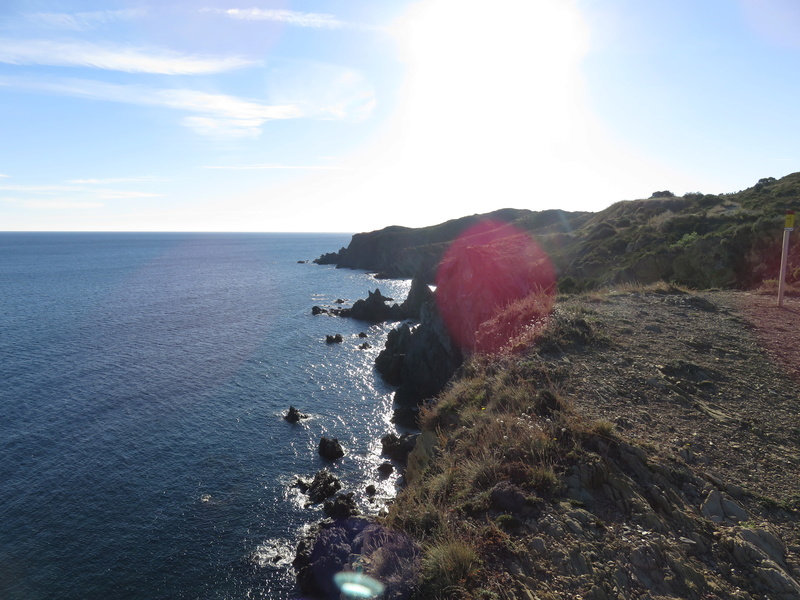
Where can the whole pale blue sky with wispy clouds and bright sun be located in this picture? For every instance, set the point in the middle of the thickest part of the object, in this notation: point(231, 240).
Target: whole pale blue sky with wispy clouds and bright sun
point(352, 115)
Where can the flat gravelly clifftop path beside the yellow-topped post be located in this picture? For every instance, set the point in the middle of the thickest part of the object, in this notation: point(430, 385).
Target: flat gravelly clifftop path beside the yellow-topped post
point(708, 379)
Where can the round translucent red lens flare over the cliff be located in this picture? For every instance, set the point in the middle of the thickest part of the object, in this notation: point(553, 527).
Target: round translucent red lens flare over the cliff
point(494, 285)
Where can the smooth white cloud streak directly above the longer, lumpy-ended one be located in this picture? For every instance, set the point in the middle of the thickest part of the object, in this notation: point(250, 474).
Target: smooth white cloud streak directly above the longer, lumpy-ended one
point(114, 57)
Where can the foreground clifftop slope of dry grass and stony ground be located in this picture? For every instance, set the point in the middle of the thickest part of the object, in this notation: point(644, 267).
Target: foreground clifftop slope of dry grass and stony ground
point(645, 446)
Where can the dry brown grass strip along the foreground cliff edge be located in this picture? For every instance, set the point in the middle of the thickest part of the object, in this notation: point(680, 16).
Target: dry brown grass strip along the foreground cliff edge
point(505, 420)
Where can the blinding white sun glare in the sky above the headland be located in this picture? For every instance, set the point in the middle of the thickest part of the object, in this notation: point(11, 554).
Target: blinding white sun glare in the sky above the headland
point(490, 94)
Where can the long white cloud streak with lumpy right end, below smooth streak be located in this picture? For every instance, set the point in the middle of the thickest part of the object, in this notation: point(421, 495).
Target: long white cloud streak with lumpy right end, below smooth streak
point(215, 115)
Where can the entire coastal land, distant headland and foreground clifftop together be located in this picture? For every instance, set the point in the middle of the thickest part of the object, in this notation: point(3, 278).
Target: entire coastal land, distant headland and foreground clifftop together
point(612, 440)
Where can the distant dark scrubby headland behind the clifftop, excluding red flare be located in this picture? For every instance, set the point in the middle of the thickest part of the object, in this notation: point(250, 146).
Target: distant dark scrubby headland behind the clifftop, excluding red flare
point(698, 240)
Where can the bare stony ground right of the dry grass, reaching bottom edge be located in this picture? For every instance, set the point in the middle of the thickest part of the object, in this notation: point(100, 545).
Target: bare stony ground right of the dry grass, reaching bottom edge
point(696, 494)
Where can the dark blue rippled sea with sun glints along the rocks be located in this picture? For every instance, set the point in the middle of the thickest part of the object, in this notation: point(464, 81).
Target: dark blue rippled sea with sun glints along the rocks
point(143, 378)
